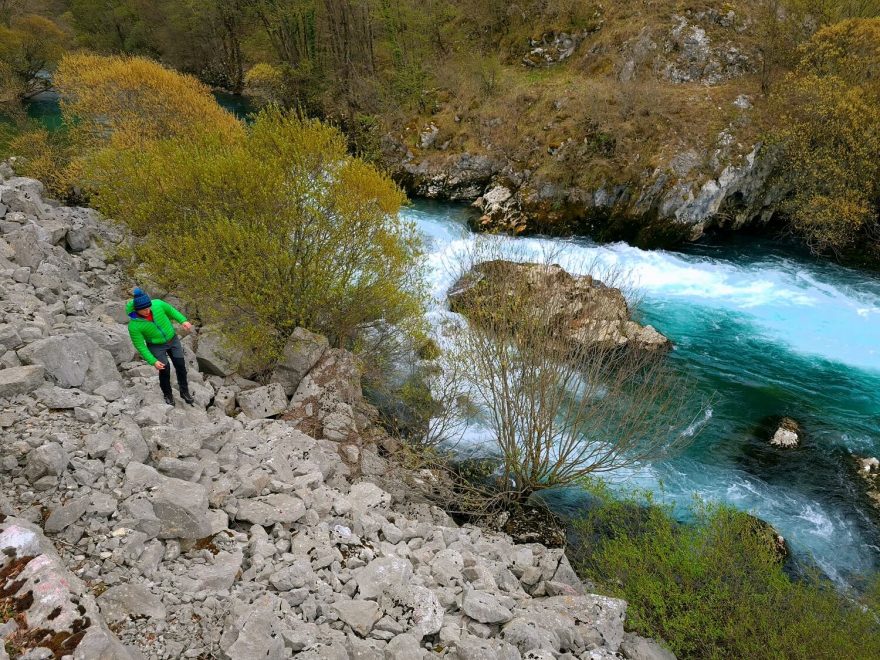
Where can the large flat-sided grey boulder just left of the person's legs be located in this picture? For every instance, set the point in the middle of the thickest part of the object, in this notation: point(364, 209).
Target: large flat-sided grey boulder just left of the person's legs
point(72, 361)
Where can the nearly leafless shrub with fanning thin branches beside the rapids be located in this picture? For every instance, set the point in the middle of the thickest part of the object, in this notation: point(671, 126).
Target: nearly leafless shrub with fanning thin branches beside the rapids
point(558, 410)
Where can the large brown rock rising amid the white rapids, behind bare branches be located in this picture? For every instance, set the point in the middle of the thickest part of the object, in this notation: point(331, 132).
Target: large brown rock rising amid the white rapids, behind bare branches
point(585, 311)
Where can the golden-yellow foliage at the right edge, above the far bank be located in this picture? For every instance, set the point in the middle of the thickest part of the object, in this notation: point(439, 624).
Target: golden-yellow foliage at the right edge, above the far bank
point(830, 133)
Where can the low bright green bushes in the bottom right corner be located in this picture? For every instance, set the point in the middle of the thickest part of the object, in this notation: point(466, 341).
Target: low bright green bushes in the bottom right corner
point(716, 589)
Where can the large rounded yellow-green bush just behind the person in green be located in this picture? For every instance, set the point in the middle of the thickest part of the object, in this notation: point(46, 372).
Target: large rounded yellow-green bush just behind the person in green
point(276, 229)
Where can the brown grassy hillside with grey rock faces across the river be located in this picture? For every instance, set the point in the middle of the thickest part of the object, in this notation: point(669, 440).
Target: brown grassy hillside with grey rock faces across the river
point(646, 127)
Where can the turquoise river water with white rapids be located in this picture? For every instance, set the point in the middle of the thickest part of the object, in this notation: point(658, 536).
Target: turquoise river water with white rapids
point(762, 330)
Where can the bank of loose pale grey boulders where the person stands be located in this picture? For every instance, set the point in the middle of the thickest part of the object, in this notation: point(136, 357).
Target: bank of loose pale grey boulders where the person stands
point(265, 521)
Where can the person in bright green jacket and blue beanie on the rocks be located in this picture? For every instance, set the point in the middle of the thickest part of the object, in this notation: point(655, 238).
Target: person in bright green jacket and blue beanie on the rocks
point(154, 337)
